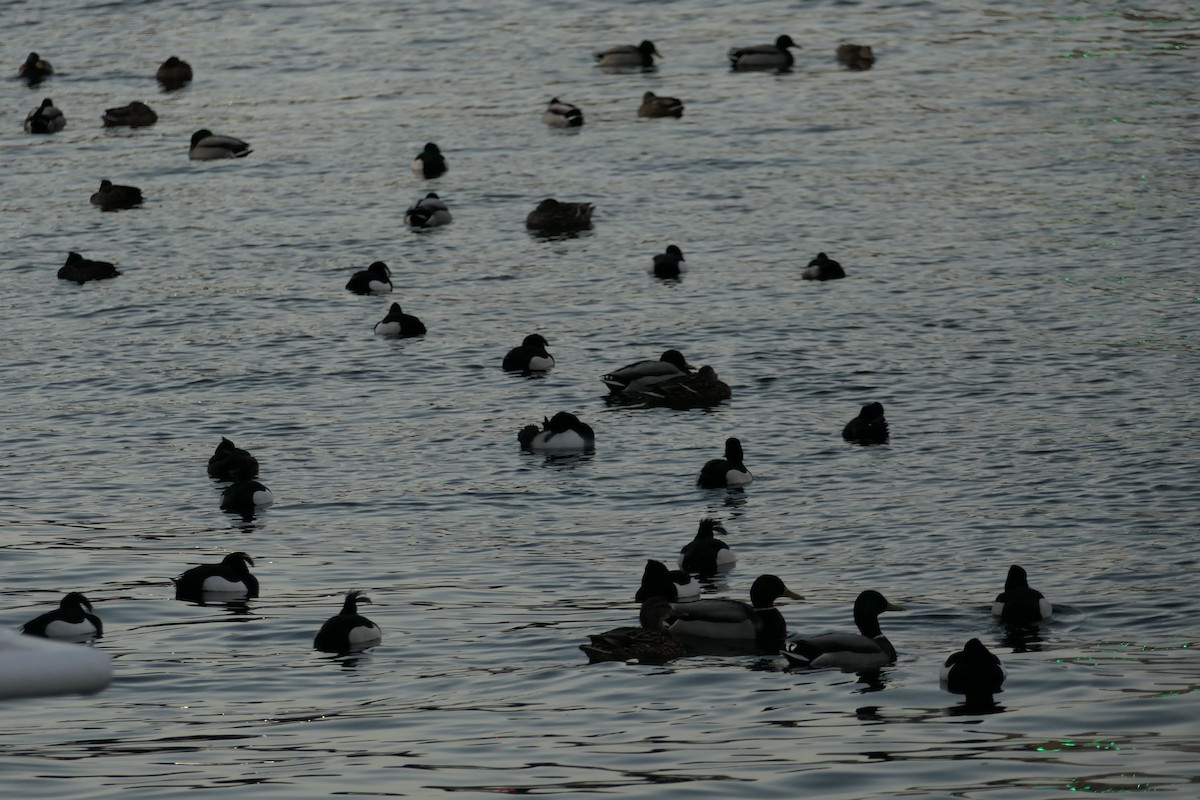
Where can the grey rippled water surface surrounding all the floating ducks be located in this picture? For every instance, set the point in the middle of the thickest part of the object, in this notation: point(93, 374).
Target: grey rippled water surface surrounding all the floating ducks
point(1012, 191)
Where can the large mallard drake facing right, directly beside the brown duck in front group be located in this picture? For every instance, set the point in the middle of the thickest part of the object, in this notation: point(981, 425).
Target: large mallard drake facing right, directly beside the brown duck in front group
point(733, 619)
